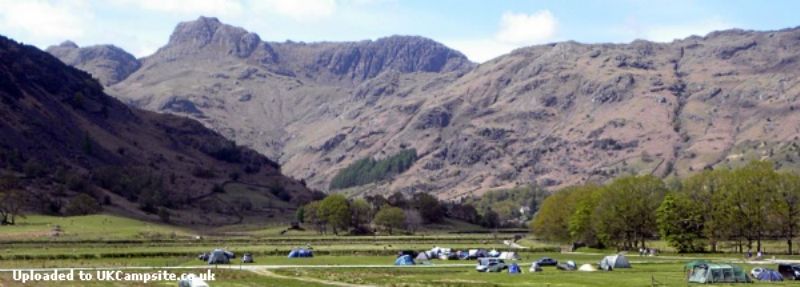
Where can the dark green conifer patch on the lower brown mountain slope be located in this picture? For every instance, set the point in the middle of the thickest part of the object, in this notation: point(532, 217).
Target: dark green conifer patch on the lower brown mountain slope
point(369, 170)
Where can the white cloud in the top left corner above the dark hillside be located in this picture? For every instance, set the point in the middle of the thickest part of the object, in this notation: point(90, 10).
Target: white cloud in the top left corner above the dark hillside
point(45, 21)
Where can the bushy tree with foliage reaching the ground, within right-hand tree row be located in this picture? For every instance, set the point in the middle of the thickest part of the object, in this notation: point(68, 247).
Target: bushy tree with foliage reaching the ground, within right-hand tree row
point(680, 223)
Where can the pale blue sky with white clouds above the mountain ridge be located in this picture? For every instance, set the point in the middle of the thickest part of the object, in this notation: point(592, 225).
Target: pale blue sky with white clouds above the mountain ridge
point(481, 30)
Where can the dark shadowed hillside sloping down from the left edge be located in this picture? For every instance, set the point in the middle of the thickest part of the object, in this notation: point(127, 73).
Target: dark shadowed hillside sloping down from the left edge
point(63, 136)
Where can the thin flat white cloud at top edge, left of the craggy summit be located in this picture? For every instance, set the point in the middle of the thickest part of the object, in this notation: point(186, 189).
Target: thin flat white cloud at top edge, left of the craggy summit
point(195, 7)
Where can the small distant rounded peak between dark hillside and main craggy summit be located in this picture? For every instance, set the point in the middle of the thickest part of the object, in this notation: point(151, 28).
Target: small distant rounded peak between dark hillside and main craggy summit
point(107, 63)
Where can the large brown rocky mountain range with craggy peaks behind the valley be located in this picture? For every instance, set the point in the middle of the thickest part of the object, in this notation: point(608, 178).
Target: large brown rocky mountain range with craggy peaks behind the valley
point(552, 115)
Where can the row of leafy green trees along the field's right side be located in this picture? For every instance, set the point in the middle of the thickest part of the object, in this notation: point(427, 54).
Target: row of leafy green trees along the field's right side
point(744, 206)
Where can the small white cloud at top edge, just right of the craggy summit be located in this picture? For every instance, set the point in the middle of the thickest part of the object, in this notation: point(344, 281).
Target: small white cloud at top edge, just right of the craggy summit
point(299, 10)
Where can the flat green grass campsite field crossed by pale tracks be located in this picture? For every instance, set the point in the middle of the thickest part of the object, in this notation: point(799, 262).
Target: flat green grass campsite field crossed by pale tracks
point(105, 241)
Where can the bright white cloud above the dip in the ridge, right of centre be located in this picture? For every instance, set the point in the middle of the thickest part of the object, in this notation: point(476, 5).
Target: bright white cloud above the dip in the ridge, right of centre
point(515, 30)
